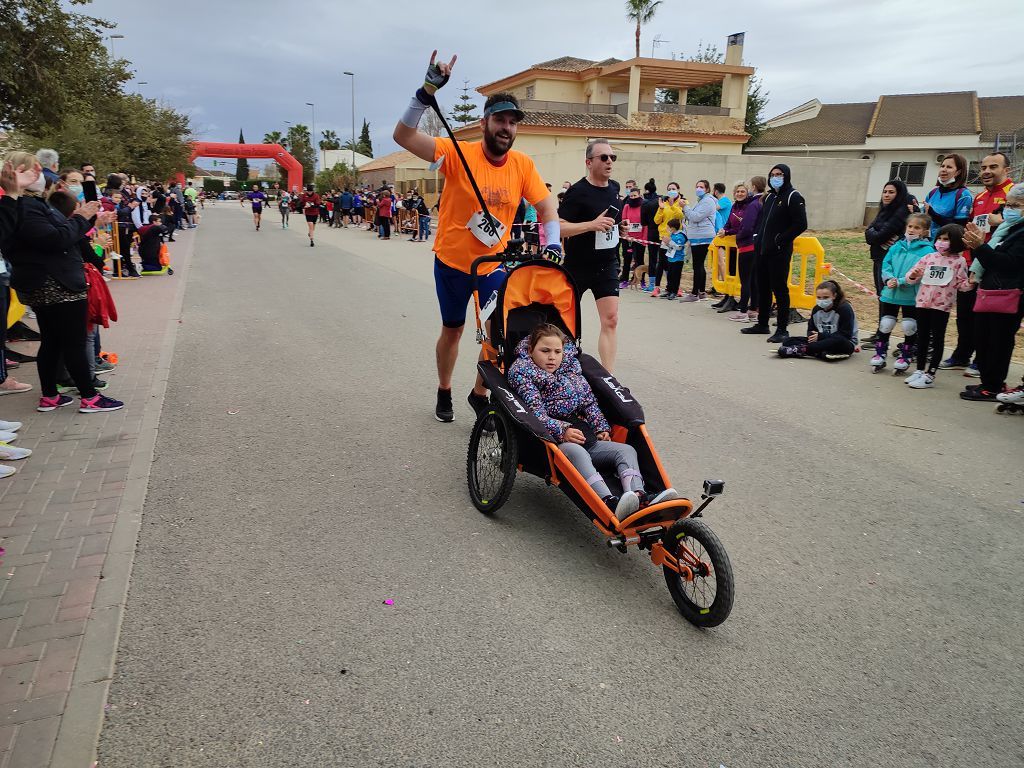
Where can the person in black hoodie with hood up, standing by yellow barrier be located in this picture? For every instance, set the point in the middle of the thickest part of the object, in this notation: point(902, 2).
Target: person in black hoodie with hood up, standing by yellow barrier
point(783, 219)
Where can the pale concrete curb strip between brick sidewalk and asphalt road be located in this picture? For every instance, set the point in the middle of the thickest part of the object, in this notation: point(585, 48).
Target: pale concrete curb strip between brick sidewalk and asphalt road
point(78, 738)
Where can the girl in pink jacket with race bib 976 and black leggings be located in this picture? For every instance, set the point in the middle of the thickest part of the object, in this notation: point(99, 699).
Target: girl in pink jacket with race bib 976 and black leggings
point(942, 275)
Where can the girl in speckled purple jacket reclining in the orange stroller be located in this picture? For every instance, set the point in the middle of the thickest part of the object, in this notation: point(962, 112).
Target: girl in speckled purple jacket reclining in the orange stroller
point(548, 377)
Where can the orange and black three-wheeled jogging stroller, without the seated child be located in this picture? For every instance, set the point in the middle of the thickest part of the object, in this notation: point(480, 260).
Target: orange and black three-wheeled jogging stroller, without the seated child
point(507, 439)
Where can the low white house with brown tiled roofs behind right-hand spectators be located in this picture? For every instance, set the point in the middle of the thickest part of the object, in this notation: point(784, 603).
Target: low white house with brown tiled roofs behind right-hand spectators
point(906, 137)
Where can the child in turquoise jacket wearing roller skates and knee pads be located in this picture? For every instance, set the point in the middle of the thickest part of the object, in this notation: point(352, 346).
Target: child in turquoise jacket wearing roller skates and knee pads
point(899, 295)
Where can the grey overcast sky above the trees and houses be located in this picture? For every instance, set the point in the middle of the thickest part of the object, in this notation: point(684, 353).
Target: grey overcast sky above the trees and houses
point(254, 64)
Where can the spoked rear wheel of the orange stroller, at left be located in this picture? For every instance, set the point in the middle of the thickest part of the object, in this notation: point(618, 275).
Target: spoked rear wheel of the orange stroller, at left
point(491, 464)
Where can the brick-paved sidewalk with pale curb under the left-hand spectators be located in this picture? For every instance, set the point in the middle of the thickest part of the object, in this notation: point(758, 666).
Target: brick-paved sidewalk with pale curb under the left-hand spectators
point(69, 523)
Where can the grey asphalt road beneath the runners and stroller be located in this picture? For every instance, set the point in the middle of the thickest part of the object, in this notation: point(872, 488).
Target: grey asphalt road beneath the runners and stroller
point(302, 481)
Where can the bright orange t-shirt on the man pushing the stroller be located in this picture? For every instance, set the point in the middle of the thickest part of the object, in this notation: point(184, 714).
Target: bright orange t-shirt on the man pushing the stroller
point(502, 187)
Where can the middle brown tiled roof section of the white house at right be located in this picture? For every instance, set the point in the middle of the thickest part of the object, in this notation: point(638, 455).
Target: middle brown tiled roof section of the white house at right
point(926, 115)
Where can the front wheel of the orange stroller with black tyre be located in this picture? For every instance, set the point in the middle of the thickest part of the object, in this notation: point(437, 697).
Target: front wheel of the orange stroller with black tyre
point(708, 600)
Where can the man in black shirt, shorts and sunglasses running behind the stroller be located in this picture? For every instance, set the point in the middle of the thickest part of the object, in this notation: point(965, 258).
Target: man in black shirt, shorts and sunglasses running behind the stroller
point(590, 215)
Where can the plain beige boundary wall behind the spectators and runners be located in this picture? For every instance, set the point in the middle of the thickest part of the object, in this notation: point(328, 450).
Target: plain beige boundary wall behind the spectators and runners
point(835, 189)
